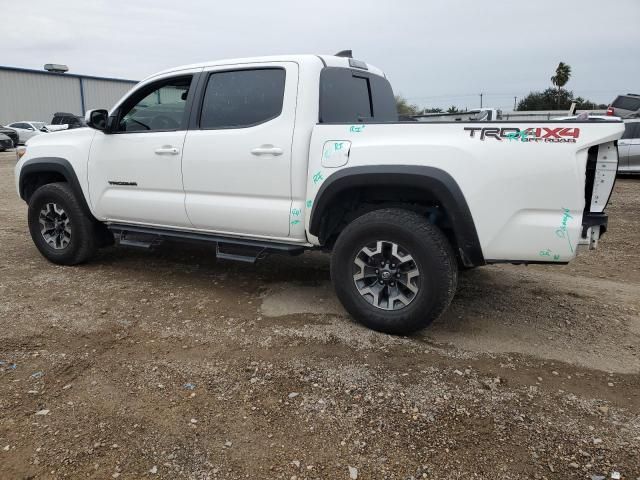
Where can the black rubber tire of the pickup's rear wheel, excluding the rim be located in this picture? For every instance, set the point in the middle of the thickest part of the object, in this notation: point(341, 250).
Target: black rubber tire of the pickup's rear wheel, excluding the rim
point(431, 253)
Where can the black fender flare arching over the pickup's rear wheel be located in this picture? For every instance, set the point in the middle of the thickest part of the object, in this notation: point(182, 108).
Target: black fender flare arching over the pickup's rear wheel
point(438, 182)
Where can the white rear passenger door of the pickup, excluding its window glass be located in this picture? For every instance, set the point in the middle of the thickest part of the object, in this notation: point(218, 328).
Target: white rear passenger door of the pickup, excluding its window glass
point(229, 186)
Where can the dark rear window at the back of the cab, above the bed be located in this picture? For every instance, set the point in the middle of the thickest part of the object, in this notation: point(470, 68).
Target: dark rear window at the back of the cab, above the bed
point(355, 96)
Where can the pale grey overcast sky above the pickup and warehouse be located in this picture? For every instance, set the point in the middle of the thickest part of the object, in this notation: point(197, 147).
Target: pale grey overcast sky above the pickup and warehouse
point(436, 53)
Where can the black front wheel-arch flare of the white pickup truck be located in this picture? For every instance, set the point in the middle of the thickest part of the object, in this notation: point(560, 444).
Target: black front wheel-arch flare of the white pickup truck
point(43, 170)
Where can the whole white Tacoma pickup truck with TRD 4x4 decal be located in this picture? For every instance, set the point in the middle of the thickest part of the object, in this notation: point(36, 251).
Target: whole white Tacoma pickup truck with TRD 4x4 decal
point(284, 154)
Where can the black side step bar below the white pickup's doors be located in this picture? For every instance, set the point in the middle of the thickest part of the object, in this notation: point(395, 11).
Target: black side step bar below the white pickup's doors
point(228, 248)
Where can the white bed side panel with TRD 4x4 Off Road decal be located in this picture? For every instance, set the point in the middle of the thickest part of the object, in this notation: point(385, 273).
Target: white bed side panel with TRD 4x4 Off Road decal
point(517, 191)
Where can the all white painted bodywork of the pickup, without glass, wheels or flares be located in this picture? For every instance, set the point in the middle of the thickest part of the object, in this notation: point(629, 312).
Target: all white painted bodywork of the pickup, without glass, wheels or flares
point(520, 194)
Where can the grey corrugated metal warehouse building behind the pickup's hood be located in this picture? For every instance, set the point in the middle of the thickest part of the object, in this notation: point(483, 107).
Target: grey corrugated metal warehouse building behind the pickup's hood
point(35, 95)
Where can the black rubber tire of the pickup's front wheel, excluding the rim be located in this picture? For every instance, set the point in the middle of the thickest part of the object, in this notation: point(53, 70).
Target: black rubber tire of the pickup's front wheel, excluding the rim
point(82, 241)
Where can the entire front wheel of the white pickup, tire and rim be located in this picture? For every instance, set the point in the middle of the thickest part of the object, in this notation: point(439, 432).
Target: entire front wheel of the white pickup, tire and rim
point(60, 228)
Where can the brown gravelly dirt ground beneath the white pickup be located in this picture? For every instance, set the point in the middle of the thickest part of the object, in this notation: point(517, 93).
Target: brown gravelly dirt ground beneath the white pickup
point(169, 364)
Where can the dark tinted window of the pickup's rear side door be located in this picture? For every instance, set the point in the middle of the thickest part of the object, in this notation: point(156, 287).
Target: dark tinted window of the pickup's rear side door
point(242, 98)
